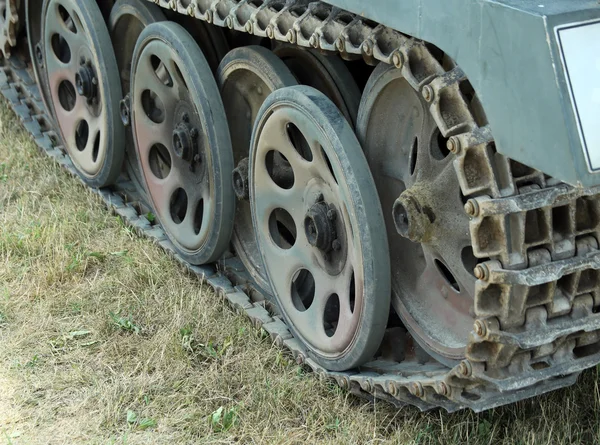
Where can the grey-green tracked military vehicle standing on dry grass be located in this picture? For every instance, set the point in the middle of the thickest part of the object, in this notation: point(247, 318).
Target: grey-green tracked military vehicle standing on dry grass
point(402, 194)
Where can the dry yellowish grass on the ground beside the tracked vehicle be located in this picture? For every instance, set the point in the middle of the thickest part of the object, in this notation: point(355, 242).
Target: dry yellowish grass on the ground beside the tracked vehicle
point(104, 340)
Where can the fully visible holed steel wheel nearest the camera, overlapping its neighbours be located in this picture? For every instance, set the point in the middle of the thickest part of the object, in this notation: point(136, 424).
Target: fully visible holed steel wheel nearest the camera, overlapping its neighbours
point(307, 227)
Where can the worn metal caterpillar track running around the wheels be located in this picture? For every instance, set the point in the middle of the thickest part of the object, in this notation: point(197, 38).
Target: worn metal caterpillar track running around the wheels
point(537, 295)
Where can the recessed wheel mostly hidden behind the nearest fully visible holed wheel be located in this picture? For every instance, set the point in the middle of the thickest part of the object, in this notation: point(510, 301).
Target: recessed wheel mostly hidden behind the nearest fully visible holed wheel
point(246, 77)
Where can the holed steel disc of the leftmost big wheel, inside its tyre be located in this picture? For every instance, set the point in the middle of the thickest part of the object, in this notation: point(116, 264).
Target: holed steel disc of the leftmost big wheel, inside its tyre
point(77, 89)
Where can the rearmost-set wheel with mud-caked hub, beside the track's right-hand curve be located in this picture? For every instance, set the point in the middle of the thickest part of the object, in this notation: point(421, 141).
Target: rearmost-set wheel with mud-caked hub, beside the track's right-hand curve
point(431, 290)
